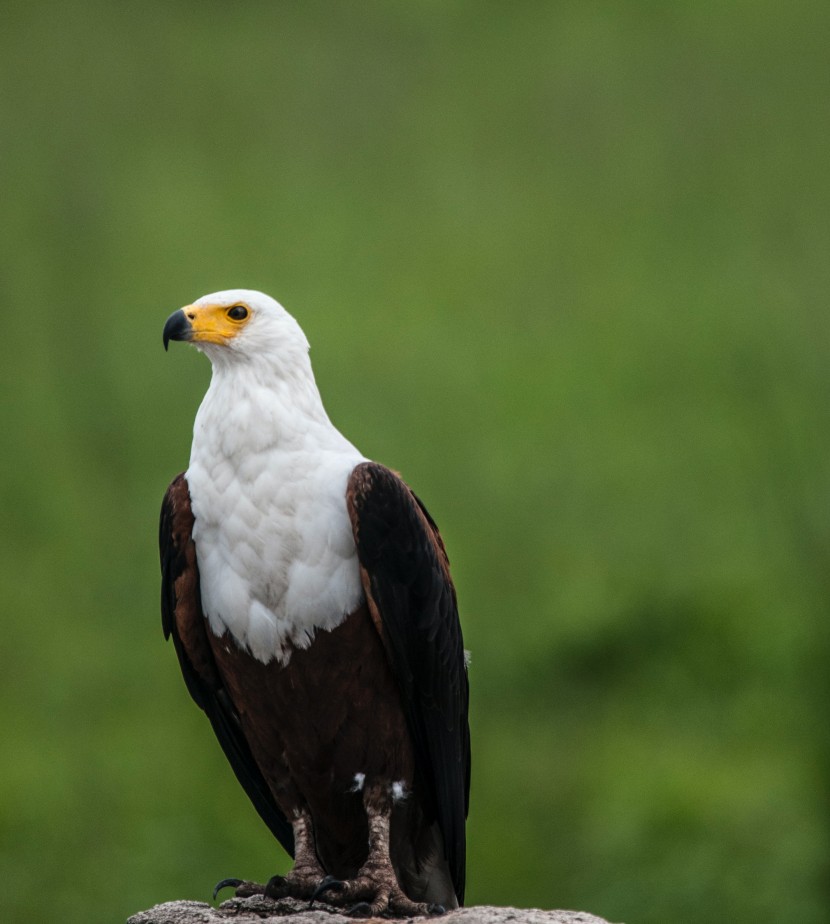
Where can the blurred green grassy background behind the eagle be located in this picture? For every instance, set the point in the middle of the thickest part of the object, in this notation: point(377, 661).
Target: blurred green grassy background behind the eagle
point(565, 266)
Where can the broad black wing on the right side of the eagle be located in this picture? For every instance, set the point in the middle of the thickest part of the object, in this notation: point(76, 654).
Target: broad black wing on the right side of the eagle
point(406, 578)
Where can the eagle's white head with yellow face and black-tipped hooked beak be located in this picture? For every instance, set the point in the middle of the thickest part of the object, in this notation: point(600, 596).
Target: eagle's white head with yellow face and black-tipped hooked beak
point(239, 325)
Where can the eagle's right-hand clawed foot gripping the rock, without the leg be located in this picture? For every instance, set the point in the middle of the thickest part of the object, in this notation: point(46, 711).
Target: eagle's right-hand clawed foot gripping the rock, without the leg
point(373, 892)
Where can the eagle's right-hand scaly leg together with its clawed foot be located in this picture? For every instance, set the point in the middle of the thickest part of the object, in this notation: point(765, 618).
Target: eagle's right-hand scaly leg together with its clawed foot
point(375, 889)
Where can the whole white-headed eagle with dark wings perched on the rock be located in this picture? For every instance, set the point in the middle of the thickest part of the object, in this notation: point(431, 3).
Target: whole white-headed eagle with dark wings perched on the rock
point(308, 595)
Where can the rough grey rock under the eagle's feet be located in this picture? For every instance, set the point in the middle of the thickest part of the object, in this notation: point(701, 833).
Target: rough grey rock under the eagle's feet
point(256, 909)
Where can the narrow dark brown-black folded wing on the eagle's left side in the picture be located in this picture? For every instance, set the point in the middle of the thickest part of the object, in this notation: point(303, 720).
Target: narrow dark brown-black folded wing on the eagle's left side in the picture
point(182, 618)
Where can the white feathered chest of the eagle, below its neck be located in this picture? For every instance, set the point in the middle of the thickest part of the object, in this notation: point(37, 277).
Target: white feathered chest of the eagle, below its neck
point(274, 543)
